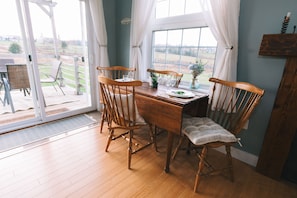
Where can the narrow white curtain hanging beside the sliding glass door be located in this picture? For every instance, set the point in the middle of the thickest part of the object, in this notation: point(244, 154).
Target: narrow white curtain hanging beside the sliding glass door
point(98, 20)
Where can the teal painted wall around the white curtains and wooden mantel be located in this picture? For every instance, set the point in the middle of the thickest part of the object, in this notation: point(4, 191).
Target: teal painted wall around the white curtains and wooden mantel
point(257, 17)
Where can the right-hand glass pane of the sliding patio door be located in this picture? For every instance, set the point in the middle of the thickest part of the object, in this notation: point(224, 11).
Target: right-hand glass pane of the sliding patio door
point(62, 37)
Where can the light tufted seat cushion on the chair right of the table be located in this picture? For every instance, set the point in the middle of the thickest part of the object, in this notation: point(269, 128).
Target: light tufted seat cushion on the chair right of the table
point(203, 130)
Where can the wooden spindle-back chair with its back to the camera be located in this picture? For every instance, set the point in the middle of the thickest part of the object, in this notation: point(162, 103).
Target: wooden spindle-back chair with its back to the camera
point(122, 113)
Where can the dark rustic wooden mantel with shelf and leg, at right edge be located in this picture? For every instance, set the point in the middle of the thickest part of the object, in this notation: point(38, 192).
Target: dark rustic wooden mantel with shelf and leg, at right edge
point(283, 121)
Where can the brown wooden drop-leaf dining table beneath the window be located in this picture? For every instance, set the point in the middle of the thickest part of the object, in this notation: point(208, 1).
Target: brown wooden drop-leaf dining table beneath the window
point(160, 109)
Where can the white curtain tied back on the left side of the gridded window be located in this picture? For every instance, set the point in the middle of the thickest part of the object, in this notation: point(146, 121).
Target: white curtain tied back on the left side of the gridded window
point(142, 15)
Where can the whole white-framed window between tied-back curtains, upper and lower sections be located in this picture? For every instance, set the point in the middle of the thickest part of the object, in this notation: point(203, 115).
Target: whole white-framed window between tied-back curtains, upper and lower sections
point(180, 38)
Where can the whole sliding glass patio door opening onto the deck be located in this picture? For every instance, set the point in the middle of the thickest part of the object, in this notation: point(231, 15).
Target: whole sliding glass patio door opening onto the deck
point(52, 42)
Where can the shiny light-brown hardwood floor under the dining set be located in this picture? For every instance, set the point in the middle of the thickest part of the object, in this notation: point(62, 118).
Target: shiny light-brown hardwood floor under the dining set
point(77, 166)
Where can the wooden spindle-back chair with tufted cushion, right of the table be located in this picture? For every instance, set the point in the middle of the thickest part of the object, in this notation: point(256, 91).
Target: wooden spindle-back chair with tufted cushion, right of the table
point(230, 107)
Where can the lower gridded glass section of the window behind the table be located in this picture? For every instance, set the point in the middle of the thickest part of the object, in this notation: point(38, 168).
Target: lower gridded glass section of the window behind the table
point(184, 48)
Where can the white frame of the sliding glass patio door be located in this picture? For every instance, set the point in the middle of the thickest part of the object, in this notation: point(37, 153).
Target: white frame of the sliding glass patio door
point(29, 48)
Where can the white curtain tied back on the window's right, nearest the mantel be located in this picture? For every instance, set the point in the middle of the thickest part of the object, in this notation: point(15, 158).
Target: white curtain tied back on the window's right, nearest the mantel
point(222, 17)
